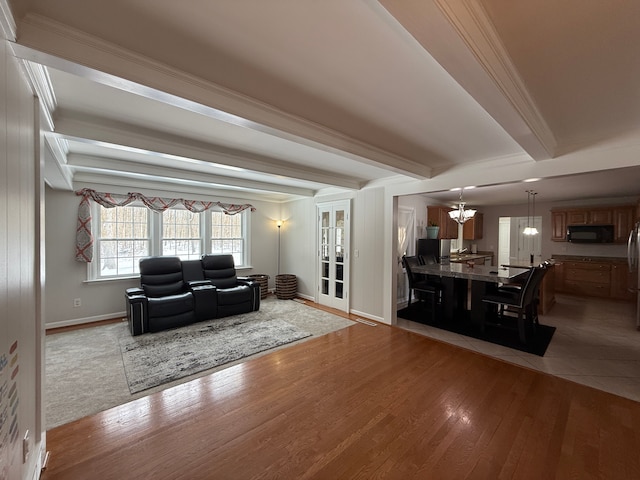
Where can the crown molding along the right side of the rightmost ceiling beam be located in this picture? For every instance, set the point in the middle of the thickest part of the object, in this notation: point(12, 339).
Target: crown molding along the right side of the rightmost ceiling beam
point(472, 23)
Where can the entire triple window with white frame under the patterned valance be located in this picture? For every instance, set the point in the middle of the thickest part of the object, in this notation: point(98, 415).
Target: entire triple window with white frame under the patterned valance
point(124, 235)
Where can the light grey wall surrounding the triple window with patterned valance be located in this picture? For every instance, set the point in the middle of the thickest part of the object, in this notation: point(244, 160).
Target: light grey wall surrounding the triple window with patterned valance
point(66, 278)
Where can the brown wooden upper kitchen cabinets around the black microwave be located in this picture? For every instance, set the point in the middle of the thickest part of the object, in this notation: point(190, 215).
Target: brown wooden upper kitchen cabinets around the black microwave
point(620, 216)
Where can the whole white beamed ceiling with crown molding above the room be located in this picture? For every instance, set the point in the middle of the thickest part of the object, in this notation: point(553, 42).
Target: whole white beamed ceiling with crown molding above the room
point(284, 99)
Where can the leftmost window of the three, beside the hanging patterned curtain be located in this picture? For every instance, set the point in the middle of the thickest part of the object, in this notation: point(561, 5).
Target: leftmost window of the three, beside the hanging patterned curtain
point(122, 240)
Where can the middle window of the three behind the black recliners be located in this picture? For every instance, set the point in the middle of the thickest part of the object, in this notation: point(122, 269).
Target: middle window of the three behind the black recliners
point(181, 234)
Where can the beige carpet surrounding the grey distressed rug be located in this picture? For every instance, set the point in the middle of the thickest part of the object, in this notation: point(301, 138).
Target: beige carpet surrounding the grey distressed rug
point(85, 372)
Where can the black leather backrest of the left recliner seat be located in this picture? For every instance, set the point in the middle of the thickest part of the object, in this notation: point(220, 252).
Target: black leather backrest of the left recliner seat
point(161, 276)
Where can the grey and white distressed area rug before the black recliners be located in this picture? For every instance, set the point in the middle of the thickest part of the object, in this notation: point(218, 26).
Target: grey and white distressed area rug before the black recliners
point(157, 358)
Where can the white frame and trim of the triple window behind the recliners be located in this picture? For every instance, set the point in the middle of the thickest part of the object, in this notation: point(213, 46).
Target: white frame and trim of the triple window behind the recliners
point(155, 240)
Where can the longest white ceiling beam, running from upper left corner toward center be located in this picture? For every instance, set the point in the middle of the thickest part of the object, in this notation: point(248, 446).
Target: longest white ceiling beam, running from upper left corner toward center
point(54, 44)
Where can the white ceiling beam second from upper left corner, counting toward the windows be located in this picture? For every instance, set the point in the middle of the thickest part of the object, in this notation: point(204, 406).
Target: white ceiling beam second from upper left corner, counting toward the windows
point(96, 130)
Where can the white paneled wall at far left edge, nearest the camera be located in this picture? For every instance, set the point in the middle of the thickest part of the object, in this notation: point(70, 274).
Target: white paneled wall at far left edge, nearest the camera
point(21, 339)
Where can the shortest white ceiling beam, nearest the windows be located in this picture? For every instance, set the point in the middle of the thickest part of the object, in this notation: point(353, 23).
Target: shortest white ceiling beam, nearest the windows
point(89, 163)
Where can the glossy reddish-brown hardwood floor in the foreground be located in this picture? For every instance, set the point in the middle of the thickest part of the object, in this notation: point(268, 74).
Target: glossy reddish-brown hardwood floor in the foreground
point(360, 403)
